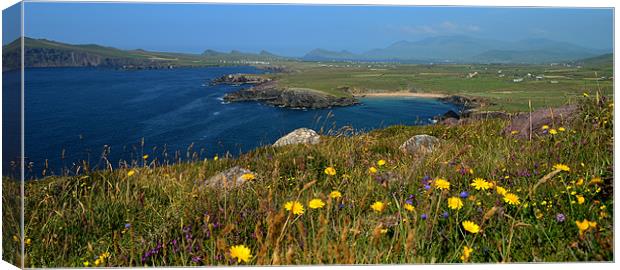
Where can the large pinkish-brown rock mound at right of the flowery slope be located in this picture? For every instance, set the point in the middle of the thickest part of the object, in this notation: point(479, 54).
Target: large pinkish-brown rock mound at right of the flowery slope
point(552, 117)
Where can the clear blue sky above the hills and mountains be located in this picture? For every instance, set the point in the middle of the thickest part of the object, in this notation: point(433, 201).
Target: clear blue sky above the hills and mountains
point(294, 30)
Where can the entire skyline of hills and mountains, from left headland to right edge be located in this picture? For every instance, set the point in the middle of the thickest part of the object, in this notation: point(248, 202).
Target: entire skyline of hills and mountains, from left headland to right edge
point(445, 49)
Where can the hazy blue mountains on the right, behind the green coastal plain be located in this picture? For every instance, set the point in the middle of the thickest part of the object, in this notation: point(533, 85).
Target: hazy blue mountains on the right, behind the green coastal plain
point(461, 49)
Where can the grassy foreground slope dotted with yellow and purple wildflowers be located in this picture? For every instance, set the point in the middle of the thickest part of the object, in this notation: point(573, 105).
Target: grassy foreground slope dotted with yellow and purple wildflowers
point(164, 215)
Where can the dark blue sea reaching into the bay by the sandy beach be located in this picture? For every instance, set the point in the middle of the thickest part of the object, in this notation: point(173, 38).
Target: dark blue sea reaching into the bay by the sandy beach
point(78, 111)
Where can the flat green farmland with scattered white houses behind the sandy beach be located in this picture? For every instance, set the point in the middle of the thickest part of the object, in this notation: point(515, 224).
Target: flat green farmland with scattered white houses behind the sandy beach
point(560, 82)
